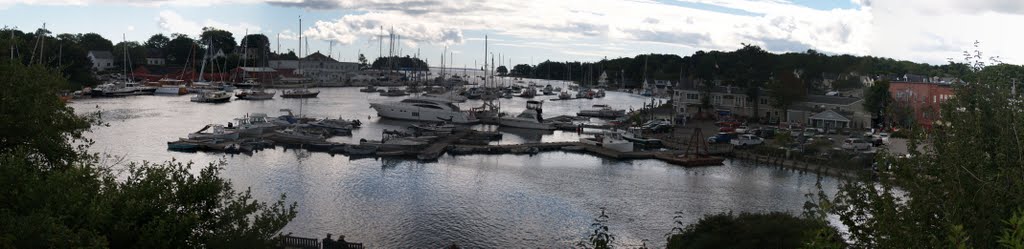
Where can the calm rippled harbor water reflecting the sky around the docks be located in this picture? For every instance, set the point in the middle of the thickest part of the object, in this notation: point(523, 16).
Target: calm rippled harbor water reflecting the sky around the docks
point(546, 200)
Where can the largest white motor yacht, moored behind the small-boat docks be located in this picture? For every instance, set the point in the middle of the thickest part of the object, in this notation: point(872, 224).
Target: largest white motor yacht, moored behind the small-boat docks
point(424, 110)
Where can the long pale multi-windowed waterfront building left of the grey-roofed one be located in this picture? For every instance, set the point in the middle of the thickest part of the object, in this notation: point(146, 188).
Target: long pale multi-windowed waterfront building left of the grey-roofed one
point(690, 96)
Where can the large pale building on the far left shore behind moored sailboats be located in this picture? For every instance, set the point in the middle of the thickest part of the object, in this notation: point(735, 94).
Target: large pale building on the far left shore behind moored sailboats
point(320, 69)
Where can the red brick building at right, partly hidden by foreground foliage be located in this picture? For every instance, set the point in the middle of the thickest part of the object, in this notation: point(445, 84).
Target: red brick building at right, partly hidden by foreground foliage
point(923, 99)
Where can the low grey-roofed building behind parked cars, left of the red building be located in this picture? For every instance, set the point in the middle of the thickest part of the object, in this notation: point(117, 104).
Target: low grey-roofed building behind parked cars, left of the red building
point(830, 112)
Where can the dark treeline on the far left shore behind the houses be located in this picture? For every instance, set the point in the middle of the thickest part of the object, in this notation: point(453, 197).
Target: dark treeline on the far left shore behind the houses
point(69, 52)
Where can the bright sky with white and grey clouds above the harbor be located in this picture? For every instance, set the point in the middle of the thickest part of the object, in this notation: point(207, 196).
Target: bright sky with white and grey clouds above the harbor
point(533, 31)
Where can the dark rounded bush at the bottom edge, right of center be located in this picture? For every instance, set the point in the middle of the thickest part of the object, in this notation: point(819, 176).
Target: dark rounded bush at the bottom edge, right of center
point(775, 230)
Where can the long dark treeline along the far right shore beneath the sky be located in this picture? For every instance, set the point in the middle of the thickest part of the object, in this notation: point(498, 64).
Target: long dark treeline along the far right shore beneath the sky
point(736, 68)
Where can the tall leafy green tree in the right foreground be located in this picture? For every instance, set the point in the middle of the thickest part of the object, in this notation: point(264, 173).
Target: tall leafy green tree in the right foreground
point(960, 189)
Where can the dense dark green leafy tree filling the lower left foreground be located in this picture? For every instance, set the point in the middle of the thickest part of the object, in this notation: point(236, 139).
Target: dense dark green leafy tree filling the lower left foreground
point(57, 195)
